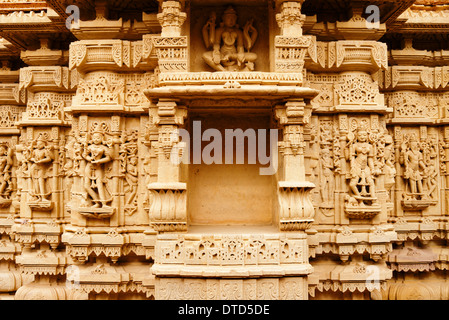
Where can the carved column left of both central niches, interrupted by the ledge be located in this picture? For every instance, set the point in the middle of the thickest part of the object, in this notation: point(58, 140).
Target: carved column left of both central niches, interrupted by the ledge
point(168, 208)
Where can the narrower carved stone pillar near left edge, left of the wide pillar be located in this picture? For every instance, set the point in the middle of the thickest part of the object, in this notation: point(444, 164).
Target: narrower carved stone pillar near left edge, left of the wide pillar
point(41, 156)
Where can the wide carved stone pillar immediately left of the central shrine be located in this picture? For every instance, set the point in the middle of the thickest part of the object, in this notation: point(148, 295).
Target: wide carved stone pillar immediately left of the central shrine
point(109, 155)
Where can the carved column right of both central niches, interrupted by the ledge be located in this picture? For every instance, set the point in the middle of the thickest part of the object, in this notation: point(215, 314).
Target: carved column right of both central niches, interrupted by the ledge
point(295, 207)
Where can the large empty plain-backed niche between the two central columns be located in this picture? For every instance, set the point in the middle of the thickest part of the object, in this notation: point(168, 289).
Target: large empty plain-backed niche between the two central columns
point(237, 193)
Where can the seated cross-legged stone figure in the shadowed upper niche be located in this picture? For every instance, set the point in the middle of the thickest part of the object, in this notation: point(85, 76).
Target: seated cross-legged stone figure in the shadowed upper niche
point(228, 43)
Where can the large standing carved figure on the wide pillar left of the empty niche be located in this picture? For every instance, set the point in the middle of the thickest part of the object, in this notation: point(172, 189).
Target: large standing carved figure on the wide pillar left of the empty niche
point(97, 154)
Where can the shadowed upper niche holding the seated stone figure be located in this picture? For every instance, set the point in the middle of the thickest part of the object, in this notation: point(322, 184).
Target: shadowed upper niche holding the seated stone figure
point(249, 25)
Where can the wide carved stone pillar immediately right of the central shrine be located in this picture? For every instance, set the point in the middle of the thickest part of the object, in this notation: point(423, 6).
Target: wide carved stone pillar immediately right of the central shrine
point(354, 148)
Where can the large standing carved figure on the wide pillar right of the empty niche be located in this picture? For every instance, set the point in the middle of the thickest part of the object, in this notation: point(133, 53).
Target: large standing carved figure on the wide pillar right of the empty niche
point(362, 168)
